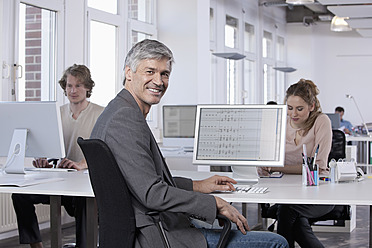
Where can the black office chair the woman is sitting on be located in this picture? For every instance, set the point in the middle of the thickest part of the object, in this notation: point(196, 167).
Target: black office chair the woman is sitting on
point(340, 213)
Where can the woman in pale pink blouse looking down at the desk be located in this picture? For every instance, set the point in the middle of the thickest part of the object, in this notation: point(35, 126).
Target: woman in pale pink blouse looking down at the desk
point(306, 124)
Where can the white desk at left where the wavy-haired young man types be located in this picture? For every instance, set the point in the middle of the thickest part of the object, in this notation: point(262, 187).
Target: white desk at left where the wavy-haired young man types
point(73, 184)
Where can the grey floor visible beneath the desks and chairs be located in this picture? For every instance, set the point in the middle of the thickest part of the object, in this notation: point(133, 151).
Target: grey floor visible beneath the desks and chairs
point(356, 239)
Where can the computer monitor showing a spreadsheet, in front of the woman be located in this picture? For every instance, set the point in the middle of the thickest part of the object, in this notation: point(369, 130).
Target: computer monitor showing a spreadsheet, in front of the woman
point(241, 136)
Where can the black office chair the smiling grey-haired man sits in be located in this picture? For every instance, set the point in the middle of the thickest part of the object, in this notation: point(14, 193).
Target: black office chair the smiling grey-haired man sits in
point(116, 217)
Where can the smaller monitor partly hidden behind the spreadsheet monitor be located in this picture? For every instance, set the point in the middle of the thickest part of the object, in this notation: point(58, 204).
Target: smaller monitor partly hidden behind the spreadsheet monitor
point(179, 126)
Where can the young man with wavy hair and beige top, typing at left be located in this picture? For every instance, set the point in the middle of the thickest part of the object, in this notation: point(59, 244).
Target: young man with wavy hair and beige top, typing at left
point(78, 118)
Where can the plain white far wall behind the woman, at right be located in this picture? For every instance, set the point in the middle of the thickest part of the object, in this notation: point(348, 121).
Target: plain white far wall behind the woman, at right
point(339, 63)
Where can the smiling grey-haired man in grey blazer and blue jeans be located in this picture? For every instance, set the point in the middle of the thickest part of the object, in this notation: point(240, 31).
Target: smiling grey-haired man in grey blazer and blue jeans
point(123, 127)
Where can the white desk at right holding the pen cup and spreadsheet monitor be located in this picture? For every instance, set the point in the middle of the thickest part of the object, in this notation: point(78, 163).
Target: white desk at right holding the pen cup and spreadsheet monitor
point(289, 190)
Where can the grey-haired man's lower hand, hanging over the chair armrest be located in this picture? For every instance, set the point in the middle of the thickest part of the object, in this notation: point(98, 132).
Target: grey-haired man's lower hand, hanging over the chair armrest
point(233, 214)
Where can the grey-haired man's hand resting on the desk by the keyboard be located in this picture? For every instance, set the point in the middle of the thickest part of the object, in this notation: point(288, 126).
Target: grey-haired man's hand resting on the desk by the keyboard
point(214, 183)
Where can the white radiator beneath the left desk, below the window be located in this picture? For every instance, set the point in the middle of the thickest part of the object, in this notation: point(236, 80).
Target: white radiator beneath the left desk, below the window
point(8, 220)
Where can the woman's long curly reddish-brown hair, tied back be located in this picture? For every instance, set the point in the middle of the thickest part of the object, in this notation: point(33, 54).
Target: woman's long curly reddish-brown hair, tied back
point(308, 91)
